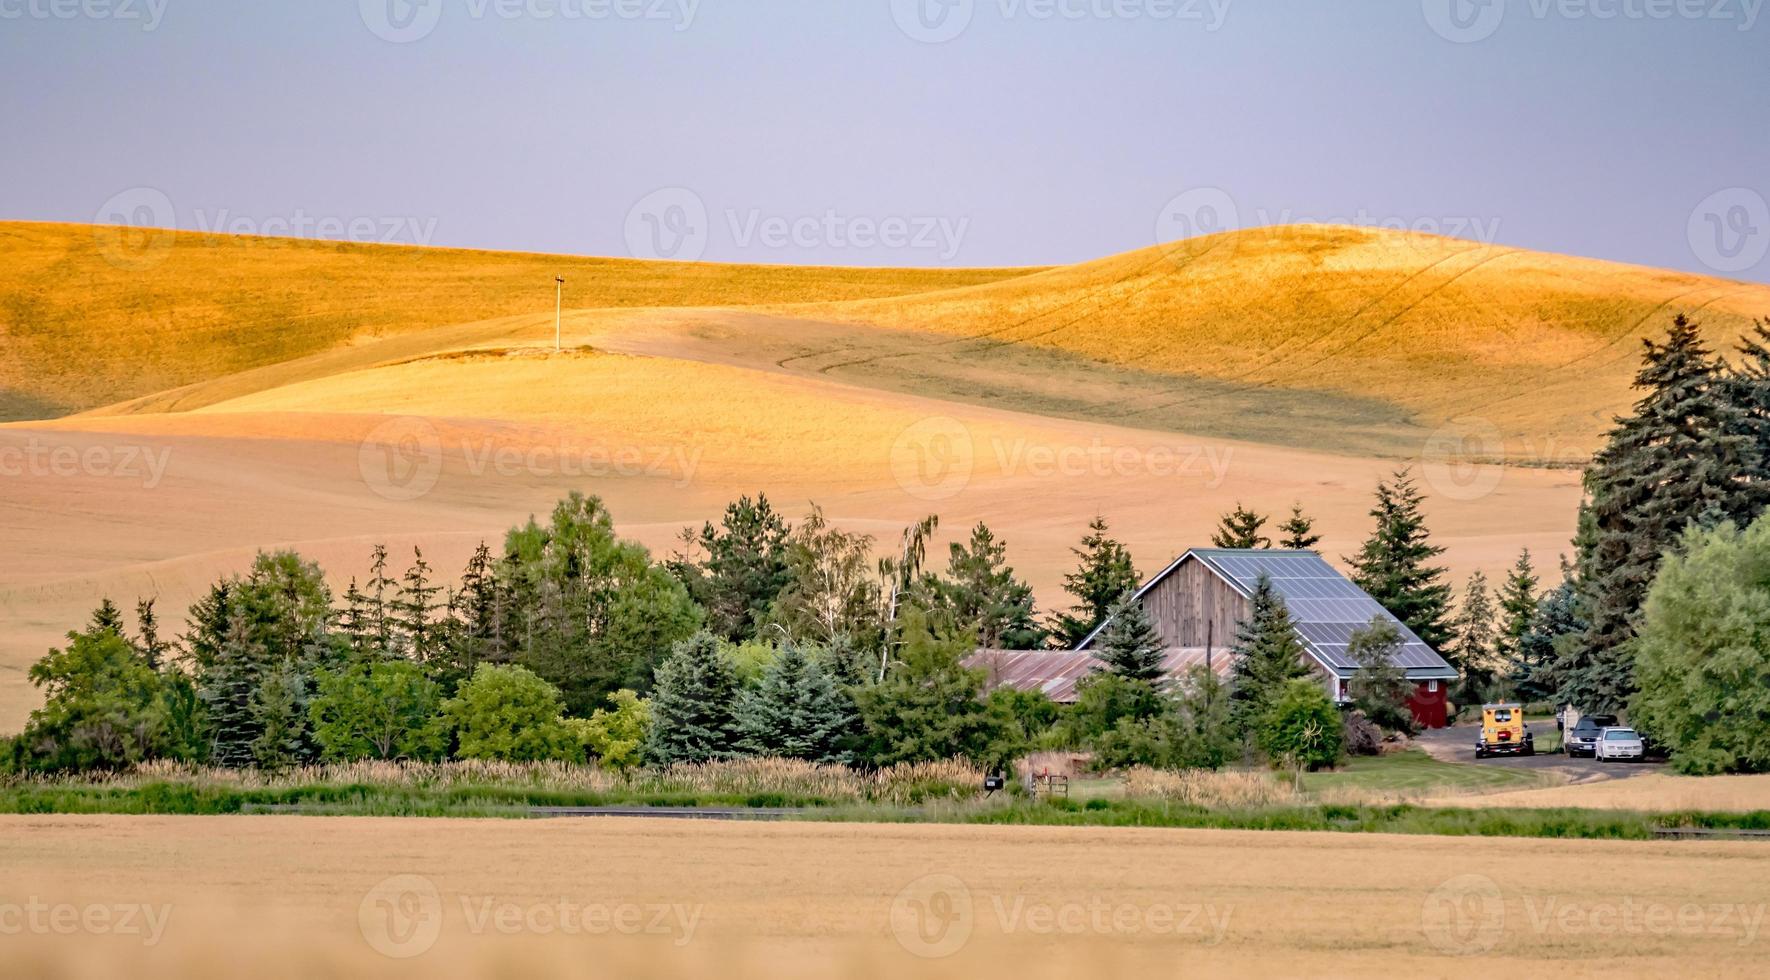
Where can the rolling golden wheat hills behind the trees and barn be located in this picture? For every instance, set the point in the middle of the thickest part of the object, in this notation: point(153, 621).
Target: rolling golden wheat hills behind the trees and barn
point(252, 394)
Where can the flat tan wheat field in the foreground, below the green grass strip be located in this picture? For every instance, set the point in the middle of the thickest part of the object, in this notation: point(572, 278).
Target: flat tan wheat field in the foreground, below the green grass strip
point(190, 898)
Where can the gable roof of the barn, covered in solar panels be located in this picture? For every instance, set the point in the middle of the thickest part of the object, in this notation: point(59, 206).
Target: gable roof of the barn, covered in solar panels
point(1323, 602)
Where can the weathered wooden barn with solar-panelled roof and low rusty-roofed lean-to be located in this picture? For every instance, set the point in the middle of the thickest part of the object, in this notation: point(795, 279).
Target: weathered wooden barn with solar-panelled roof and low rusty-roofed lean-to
point(1201, 601)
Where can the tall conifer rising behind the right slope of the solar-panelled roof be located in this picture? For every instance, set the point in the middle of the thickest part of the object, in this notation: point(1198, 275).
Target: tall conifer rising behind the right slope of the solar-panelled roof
point(1394, 563)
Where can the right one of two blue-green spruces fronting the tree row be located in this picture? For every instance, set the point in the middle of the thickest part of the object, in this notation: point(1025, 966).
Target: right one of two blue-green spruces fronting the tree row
point(797, 712)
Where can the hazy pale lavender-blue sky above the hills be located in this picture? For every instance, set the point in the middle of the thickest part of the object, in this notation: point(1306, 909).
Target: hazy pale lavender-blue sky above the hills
point(898, 132)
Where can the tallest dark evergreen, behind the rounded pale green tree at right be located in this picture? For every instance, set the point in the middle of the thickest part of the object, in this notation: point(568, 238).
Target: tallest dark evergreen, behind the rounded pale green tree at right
point(1684, 454)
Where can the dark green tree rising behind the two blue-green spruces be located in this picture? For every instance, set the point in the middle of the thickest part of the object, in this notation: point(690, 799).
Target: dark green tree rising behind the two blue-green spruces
point(744, 572)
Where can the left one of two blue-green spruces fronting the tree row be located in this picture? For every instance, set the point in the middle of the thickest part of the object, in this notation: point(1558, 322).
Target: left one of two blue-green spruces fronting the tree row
point(693, 705)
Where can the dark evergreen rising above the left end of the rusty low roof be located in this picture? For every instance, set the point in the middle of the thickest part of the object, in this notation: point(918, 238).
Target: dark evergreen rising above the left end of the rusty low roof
point(981, 593)
